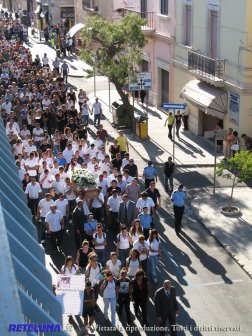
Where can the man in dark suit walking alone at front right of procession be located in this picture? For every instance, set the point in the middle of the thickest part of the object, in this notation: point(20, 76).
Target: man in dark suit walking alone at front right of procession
point(166, 307)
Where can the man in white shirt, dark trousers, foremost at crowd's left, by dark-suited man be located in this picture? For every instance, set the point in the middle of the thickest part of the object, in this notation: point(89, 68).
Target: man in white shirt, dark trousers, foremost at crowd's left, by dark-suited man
point(54, 225)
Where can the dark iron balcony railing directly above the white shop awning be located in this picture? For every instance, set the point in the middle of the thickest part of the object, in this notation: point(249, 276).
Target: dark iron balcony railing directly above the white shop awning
point(206, 66)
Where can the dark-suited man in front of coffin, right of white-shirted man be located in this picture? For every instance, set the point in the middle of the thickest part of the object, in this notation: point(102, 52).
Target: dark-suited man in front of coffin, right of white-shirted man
point(78, 223)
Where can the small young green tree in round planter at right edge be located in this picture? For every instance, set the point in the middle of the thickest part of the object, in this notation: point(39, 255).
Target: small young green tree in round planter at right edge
point(237, 169)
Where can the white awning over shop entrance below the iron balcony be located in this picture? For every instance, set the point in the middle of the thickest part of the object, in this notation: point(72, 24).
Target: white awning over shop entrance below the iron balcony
point(207, 98)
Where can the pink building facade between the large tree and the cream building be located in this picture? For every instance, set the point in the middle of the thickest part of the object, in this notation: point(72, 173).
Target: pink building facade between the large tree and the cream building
point(158, 53)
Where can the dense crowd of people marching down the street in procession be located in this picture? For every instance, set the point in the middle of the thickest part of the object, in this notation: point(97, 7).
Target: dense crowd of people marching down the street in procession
point(47, 127)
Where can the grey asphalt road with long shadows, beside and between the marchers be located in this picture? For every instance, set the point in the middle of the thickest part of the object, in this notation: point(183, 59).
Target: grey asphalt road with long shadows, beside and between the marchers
point(214, 294)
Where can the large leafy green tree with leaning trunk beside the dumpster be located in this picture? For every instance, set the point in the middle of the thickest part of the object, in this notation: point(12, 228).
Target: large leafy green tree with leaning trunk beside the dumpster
point(114, 48)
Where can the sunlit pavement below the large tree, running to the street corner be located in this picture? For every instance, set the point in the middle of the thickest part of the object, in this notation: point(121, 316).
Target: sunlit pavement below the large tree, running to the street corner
point(190, 151)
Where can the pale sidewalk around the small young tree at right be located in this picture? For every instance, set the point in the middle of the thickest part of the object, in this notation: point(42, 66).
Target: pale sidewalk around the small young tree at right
point(233, 233)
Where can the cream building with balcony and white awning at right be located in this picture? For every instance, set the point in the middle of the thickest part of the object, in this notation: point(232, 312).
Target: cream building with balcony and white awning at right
point(213, 64)
